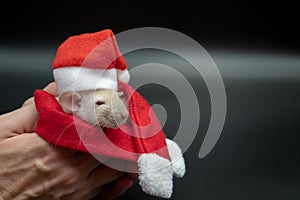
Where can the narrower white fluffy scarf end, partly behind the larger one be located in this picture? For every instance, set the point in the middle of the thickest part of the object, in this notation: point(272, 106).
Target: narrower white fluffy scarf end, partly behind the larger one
point(175, 153)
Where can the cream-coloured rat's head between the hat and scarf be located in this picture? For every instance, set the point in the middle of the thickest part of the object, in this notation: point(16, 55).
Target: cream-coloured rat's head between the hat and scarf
point(101, 107)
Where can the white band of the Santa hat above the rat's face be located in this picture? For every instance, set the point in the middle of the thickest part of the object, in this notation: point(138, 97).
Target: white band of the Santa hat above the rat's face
point(82, 78)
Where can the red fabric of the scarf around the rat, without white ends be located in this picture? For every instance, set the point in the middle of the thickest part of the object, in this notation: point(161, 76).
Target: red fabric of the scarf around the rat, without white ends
point(140, 135)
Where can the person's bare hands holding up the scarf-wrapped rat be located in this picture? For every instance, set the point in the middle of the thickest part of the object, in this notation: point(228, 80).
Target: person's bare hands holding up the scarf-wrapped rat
point(31, 168)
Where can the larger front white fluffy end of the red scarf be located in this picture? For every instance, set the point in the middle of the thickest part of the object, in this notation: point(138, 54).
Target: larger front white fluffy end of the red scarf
point(155, 175)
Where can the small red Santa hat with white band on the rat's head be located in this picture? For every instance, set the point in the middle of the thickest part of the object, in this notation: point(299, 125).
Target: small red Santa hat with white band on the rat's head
point(89, 61)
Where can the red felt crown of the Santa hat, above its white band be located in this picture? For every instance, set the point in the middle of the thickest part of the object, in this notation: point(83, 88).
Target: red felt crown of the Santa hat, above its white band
point(92, 50)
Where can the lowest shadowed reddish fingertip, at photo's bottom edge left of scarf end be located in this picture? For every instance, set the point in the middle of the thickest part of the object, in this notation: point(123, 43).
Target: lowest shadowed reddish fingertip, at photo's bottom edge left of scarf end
point(116, 189)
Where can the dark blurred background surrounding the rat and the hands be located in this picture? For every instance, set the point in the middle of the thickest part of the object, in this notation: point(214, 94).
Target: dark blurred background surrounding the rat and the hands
point(255, 44)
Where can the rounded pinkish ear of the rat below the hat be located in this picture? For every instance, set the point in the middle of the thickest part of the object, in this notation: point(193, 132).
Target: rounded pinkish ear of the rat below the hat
point(70, 101)
